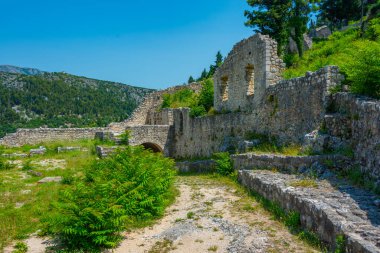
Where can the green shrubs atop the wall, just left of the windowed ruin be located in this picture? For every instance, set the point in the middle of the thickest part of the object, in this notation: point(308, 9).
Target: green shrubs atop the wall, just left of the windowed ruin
point(200, 104)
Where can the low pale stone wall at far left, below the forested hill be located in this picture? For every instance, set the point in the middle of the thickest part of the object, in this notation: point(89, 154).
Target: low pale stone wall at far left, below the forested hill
point(38, 135)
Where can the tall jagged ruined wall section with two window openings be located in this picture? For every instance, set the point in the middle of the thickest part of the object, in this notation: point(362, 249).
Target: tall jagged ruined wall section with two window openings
point(251, 67)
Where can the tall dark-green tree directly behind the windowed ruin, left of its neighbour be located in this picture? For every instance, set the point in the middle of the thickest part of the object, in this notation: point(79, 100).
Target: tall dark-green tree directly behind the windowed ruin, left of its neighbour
point(270, 17)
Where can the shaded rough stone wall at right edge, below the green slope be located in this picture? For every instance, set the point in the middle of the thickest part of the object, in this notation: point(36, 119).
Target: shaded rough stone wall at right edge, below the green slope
point(356, 120)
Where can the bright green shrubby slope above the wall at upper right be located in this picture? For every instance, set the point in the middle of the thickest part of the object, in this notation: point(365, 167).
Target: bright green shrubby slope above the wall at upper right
point(358, 57)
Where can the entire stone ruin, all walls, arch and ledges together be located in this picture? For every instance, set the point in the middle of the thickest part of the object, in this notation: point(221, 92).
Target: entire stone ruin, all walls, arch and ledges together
point(251, 97)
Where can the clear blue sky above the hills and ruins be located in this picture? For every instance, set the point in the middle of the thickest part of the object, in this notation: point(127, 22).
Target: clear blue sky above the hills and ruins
point(147, 43)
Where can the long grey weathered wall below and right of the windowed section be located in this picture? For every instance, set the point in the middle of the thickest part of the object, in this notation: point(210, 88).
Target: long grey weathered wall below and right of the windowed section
point(291, 109)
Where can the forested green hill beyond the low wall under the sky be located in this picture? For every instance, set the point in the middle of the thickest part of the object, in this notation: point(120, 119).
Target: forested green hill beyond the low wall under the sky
point(63, 100)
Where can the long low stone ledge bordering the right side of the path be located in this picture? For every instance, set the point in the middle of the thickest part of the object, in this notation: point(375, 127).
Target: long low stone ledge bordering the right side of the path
point(327, 210)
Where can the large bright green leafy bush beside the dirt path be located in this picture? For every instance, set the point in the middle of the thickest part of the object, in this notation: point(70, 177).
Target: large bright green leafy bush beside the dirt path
point(119, 192)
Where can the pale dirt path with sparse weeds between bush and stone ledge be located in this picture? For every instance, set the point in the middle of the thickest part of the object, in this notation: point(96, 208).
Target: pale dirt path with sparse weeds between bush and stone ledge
point(210, 216)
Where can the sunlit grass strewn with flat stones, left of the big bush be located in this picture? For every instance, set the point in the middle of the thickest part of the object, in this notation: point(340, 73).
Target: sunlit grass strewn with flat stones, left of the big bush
point(15, 184)
